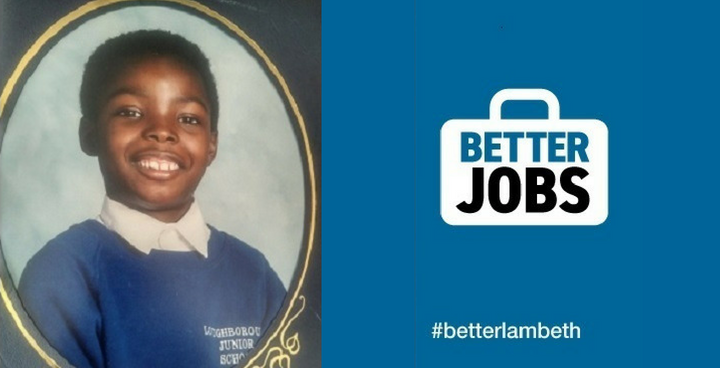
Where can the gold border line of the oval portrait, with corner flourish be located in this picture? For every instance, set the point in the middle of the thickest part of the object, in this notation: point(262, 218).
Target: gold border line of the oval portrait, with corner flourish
point(287, 318)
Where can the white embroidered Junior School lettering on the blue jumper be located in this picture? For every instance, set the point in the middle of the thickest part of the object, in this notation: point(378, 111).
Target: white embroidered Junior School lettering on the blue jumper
point(235, 343)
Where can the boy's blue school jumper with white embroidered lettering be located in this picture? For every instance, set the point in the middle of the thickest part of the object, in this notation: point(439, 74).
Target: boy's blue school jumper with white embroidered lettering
point(102, 303)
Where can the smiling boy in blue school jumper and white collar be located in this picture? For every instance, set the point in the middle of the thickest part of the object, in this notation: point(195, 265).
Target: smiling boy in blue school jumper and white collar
point(149, 284)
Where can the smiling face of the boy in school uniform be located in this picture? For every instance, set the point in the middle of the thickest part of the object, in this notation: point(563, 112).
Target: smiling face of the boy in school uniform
point(155, 138)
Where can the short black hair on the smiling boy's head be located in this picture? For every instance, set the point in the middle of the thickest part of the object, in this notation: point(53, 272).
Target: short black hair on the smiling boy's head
point(116, 53)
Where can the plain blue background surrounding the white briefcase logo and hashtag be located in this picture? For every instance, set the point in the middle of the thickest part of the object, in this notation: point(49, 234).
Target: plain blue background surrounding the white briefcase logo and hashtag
point(642, 286)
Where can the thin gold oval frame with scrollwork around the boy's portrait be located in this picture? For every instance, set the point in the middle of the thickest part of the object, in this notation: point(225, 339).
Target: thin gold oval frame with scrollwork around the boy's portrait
point(279, 344)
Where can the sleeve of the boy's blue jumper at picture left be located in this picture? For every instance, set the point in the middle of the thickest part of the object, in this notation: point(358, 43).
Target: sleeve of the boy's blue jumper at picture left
point(58, 289)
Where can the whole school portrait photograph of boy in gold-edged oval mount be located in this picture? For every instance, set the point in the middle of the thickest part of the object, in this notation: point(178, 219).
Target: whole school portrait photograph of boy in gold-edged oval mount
point(158, 192)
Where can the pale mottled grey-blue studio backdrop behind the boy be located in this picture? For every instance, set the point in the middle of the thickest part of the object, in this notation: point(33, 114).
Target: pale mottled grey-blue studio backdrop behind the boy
point(254, 190)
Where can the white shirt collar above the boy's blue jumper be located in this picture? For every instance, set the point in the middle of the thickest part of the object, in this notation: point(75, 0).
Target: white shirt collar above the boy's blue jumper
point(145, 233)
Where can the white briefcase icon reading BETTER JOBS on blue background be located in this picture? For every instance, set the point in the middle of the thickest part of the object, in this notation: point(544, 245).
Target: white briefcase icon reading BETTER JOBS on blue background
point(524, 171)
